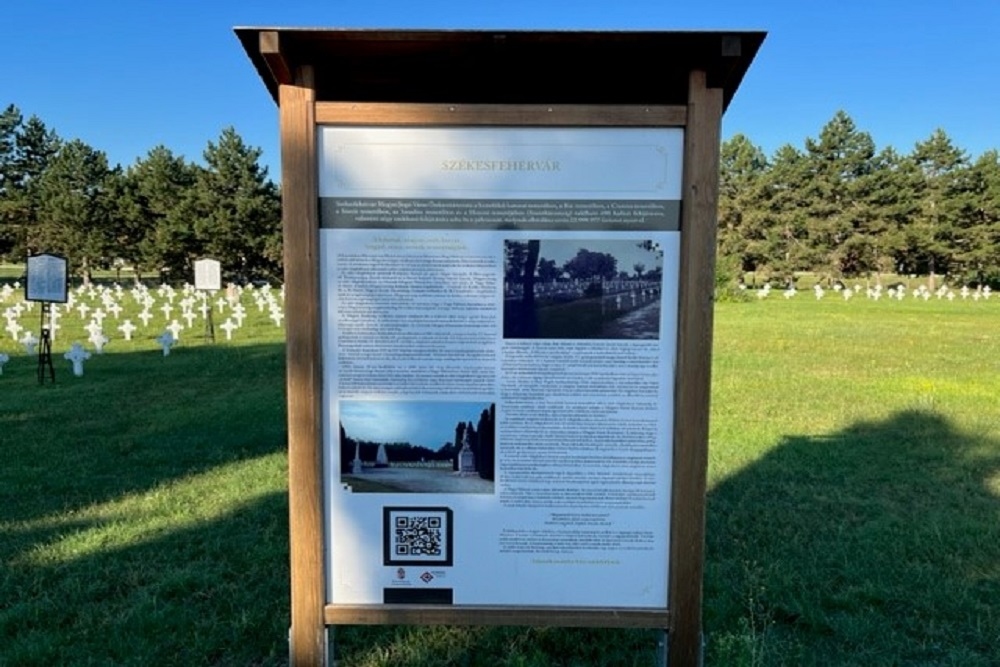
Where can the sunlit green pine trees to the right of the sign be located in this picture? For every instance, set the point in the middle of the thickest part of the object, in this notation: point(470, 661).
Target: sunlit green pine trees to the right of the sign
point(840, 208)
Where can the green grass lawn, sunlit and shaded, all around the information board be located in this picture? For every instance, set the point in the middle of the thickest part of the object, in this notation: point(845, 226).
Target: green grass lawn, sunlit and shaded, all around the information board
point(853, 510)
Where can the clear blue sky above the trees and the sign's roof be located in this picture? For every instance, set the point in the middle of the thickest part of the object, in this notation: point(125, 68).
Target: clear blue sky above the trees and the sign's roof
point(127, 76)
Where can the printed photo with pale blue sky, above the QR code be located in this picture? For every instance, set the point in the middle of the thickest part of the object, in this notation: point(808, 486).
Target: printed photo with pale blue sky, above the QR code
point(417, 447)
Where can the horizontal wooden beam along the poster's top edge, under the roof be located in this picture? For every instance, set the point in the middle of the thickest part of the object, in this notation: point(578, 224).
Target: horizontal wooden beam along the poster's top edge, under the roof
point(360, 113)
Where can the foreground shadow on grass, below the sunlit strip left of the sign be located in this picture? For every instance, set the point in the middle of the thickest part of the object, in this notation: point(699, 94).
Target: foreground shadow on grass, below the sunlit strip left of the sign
point(215, 593)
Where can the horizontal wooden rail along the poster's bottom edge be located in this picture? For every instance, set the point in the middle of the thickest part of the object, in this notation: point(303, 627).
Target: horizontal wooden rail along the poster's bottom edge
point(566, 617)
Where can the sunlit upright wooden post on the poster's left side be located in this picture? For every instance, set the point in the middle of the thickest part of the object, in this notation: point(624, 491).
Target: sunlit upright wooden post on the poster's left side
point(300, 220)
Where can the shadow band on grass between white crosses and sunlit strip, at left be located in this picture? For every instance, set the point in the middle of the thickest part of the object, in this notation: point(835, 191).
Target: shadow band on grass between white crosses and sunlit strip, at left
point(134, 421)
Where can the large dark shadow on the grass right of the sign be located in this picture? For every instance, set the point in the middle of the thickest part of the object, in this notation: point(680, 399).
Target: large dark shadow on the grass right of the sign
point(876, 545)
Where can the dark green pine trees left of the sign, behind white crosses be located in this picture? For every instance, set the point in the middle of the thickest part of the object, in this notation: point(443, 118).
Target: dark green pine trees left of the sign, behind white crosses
point(157, 215)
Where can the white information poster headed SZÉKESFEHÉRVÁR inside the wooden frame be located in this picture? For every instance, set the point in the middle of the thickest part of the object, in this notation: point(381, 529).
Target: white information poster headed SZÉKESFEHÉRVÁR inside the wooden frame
point(499, 334)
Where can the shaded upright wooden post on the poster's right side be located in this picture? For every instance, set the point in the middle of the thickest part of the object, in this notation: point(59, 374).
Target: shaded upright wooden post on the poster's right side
point(694, 361)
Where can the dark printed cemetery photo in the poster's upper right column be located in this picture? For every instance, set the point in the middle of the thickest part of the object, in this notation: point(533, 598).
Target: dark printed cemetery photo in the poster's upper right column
point(592, 288)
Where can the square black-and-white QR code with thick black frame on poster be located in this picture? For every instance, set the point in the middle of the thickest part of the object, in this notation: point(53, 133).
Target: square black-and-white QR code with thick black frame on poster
point(416, 535)
